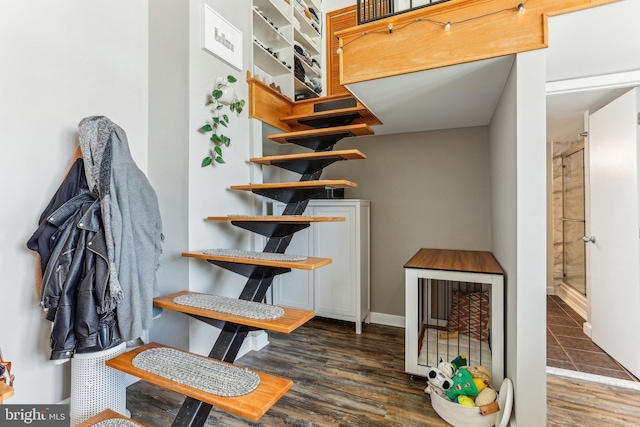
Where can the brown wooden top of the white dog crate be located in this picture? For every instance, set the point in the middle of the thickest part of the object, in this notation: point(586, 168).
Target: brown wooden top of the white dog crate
point(455, 260)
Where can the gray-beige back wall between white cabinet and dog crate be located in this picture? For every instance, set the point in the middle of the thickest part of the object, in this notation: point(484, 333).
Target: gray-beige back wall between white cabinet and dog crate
point(427, 190)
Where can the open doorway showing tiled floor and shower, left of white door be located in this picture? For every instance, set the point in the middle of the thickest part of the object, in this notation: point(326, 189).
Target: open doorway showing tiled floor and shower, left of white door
point(569, 345)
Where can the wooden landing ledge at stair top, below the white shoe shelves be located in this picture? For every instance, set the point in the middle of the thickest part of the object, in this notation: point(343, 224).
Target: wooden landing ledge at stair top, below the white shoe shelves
point(270, 106)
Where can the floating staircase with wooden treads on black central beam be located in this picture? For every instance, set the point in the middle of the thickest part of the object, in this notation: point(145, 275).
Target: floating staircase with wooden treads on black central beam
point(318, 131)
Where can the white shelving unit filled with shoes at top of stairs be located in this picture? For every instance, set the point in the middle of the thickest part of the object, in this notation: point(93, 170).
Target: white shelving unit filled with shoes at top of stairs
point(285, 32)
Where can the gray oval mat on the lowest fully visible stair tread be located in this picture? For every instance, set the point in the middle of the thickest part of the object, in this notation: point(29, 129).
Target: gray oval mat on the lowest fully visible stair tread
point(207, 375)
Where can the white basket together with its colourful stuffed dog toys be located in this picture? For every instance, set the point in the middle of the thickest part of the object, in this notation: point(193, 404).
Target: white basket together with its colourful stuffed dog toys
point(463, 397)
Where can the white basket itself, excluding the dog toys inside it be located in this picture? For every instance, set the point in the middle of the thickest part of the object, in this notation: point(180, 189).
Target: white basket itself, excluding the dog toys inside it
point(464, 416)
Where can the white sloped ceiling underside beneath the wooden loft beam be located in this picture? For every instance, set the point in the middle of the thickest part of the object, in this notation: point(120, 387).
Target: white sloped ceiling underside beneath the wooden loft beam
point(461, 95)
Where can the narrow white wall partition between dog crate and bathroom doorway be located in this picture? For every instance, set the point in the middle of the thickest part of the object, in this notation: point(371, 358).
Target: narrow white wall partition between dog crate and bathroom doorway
point(518, 183)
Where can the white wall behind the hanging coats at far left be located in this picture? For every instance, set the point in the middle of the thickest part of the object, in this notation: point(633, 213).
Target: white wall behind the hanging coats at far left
point(61, 61)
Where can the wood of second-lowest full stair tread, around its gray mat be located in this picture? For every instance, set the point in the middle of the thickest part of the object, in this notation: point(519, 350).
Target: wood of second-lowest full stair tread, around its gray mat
point(290, 321)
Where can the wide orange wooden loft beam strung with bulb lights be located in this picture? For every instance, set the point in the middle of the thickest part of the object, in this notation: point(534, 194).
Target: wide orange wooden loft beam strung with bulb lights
point(480, 30)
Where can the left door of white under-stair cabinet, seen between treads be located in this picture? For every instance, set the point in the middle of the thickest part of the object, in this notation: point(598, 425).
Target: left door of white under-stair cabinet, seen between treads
point(295, 289)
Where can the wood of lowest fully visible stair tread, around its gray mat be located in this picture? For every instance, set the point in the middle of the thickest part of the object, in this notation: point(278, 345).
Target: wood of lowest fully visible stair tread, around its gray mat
point(252, 405)
